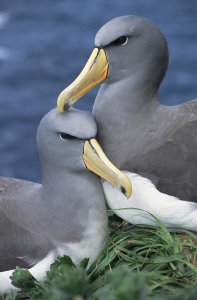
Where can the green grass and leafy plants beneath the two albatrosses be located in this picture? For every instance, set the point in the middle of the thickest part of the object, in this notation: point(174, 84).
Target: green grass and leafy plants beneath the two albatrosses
point(138, 263)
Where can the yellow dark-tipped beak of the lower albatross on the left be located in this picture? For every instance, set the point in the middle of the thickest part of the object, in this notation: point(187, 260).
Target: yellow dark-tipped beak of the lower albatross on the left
point(96, 161)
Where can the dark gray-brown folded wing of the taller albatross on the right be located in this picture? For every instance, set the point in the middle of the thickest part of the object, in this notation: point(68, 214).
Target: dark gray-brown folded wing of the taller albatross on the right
point(174, 163)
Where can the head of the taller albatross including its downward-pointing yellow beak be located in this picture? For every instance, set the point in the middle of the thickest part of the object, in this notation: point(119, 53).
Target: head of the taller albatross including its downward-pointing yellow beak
point(127, 47)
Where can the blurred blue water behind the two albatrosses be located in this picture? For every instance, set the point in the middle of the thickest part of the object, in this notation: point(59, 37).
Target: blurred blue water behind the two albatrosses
point(45, 43)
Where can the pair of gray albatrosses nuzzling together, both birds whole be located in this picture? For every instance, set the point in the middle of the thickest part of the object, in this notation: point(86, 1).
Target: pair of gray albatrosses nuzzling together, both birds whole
point(67, 213)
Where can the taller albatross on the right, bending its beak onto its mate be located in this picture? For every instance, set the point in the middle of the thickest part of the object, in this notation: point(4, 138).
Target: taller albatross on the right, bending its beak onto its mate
point(157, 143)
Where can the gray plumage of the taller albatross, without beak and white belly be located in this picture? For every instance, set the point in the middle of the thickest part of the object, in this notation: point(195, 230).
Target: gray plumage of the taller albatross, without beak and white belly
point(137, 132)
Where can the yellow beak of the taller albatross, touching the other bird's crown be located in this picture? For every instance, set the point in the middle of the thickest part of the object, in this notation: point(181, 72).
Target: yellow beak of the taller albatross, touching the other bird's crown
point(94, 72)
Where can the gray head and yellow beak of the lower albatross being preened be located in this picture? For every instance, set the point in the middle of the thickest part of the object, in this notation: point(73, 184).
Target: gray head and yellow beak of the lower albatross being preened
point(66, 143)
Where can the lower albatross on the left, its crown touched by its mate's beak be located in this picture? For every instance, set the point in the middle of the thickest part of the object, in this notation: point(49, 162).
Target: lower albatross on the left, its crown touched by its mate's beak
point(66, 214)
